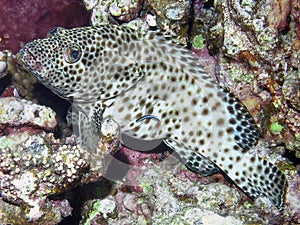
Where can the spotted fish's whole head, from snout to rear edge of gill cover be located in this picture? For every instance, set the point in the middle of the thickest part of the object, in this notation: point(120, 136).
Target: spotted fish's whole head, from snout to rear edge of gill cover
point(85, 64)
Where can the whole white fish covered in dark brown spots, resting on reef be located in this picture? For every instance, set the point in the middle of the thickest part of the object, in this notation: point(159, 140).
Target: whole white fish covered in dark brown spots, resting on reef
point(114, 72)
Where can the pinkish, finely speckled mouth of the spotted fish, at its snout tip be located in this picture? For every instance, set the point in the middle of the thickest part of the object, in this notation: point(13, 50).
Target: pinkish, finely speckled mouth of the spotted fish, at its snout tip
point(31, 62)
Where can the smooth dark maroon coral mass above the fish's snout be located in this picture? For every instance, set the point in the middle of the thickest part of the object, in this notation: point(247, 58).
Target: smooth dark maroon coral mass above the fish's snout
point(27, 20)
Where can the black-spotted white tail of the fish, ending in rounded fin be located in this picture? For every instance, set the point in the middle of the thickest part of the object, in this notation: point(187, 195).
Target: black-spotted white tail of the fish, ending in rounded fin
point(257, 177)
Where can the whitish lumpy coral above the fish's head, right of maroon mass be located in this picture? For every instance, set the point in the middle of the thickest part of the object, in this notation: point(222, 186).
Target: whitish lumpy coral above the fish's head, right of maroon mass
point(172, 17)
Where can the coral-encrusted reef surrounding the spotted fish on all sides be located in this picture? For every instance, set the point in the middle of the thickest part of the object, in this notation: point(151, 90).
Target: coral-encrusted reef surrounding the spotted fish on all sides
point(250, 47)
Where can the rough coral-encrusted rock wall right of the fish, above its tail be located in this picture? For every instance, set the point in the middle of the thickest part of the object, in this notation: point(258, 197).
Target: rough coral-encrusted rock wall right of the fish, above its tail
point(257, 49)
